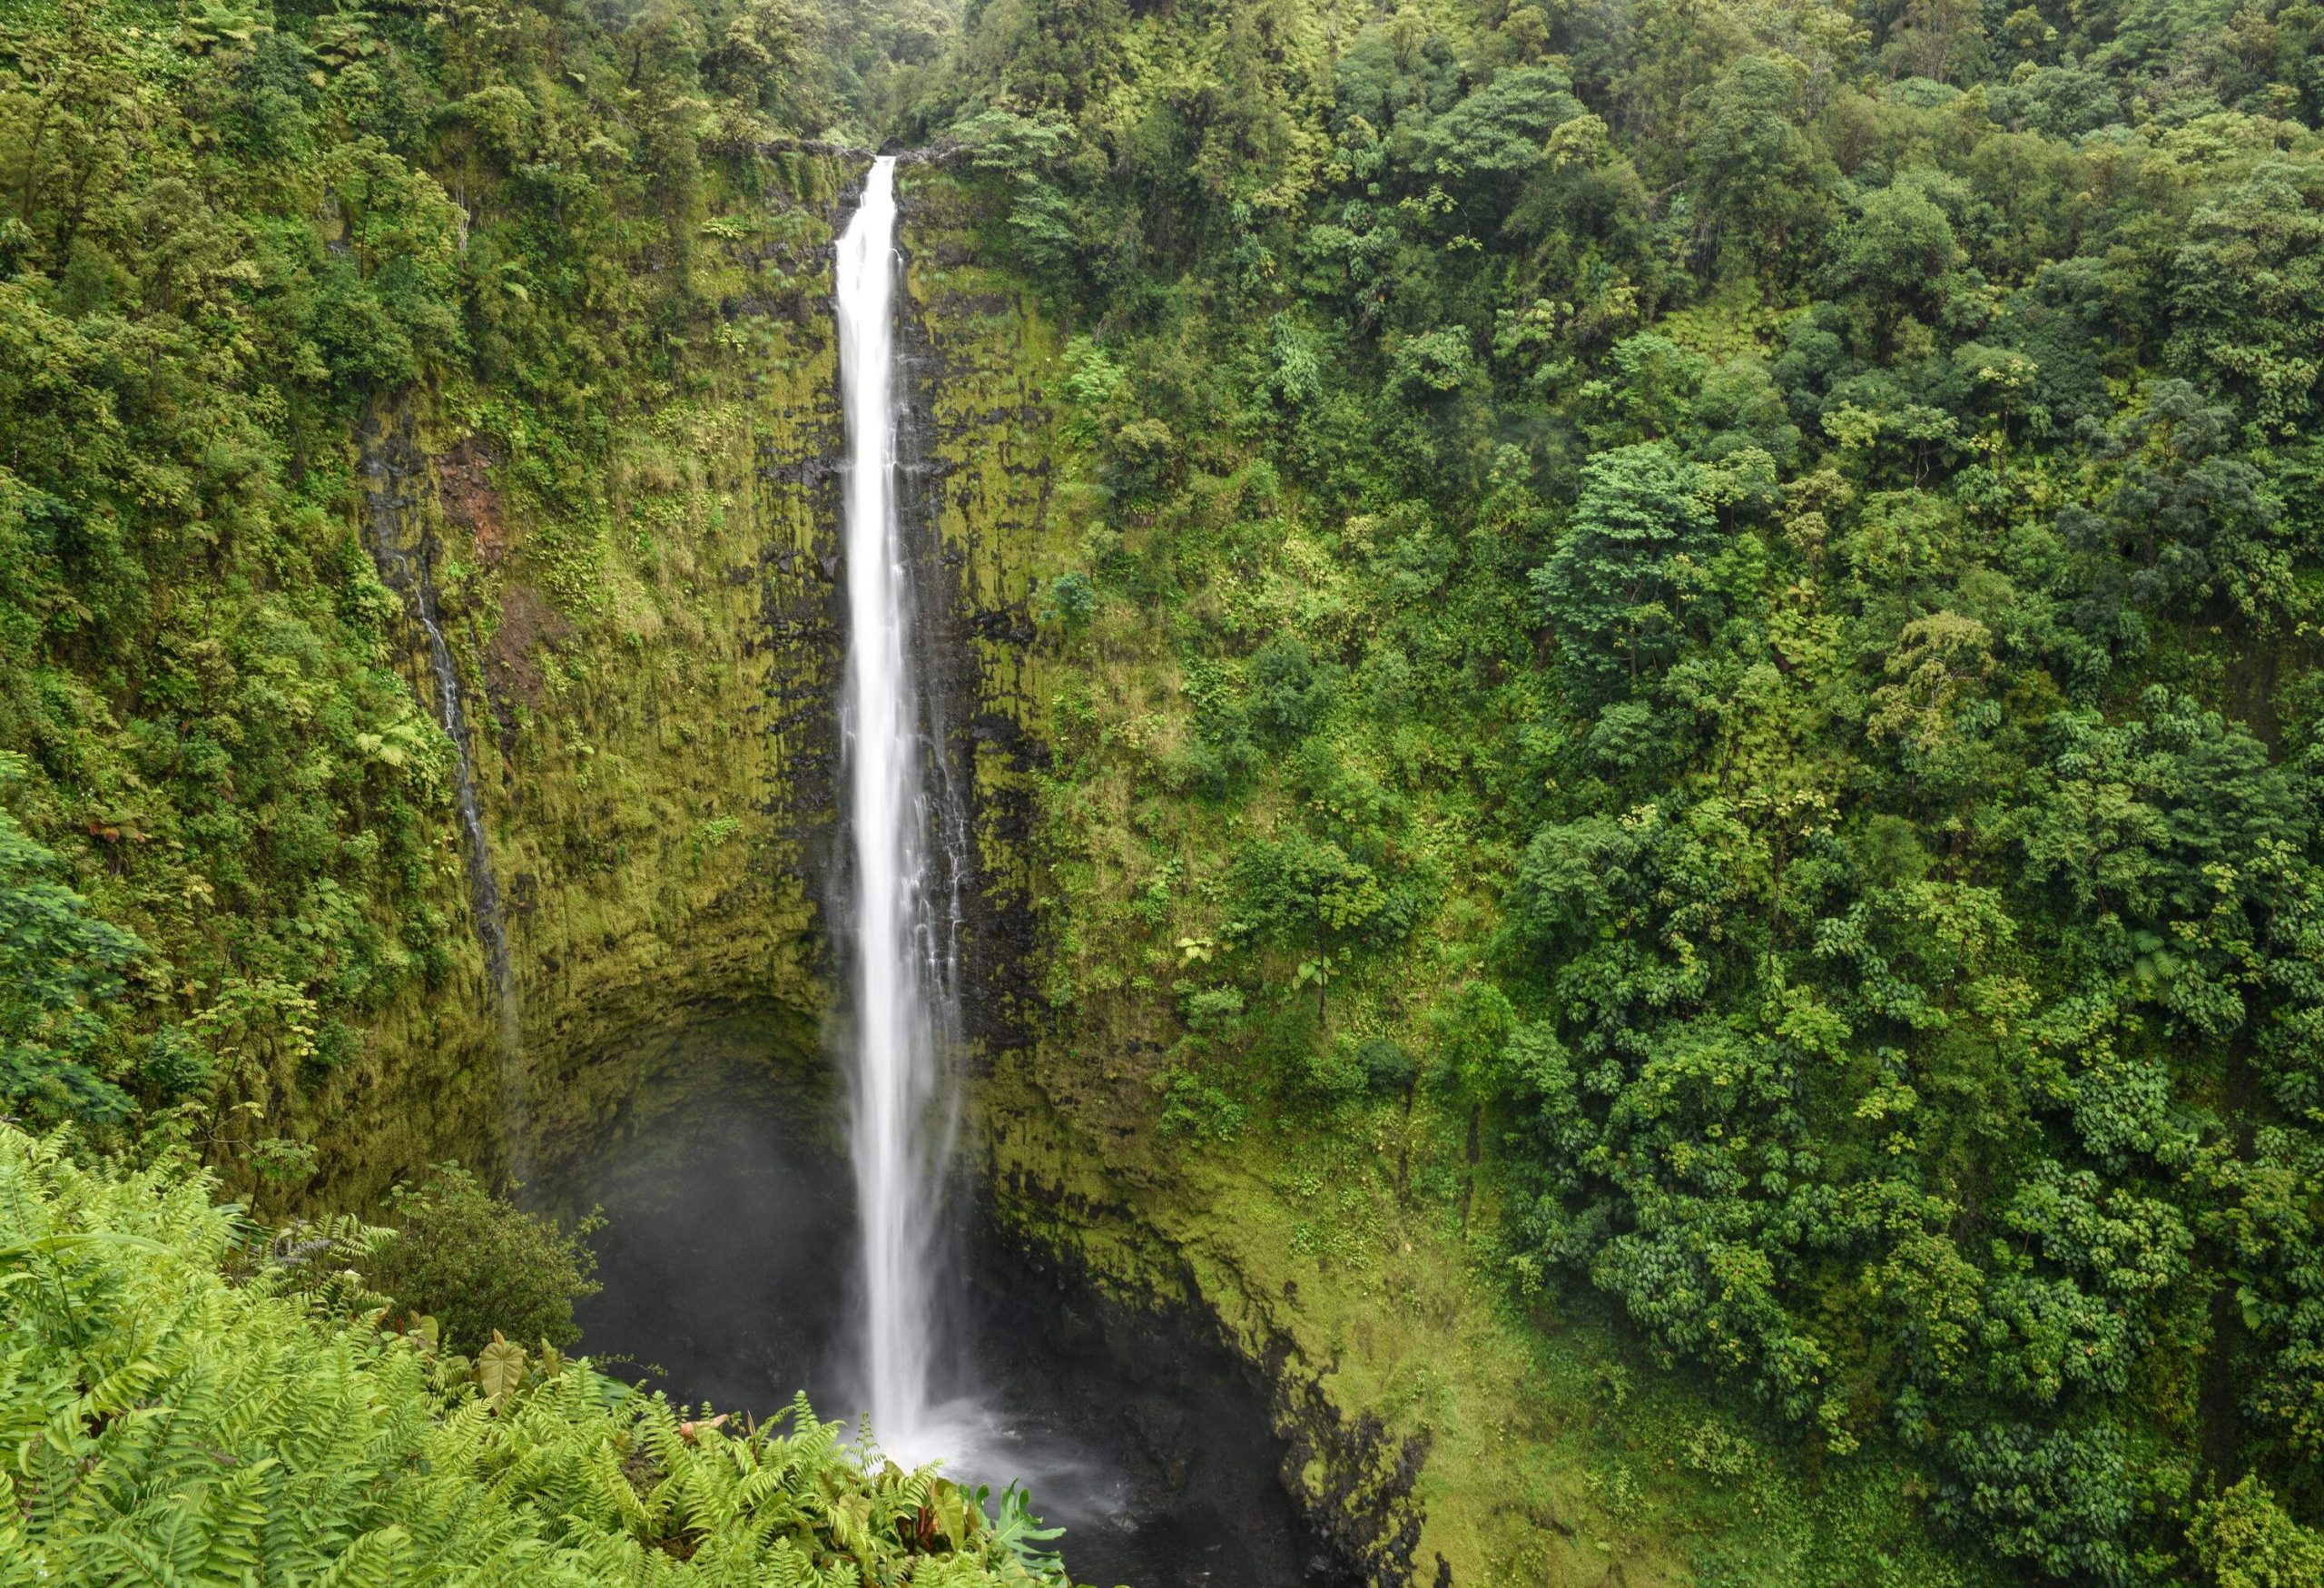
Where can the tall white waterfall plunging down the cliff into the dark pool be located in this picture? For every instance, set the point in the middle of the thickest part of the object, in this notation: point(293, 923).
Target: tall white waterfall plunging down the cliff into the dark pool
point(901, 913)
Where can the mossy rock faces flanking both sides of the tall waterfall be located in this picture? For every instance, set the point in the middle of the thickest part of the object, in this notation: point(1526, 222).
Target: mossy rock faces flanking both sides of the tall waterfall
point(650, 687)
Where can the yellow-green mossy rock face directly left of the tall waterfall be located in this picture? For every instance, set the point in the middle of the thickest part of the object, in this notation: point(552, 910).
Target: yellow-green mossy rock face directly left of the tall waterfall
point(647, 678)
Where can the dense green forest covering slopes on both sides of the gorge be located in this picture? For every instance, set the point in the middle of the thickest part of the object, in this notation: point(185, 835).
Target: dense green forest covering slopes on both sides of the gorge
point(1698, 620)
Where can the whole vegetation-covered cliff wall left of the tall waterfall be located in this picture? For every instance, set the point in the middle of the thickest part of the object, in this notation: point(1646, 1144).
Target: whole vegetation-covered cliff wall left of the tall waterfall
point(536, 322)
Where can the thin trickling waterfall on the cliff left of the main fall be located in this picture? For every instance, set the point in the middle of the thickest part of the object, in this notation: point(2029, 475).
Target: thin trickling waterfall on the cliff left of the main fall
point(387, 468)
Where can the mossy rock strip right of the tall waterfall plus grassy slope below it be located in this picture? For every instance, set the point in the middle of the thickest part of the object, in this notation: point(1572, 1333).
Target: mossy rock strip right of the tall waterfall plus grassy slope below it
point(1426, 1412)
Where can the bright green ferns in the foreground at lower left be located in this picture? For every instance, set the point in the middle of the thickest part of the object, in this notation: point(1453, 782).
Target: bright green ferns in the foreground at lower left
point(187, 1403)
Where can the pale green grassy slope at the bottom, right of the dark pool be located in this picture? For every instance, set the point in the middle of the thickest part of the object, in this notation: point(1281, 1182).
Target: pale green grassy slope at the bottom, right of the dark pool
point(1551, 1438)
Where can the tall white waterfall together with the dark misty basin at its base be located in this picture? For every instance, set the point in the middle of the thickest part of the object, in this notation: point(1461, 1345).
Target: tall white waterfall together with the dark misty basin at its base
point(726, 1215)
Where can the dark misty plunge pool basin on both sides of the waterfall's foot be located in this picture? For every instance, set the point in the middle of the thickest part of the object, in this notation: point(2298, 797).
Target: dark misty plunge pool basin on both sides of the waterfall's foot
point(729, 1266)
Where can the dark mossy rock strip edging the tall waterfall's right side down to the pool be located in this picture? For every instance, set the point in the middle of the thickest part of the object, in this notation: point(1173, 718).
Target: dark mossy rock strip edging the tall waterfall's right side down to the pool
point(1061, 1147)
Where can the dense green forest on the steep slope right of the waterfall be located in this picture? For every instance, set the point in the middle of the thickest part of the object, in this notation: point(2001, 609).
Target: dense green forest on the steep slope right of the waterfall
point(1740, 603)
